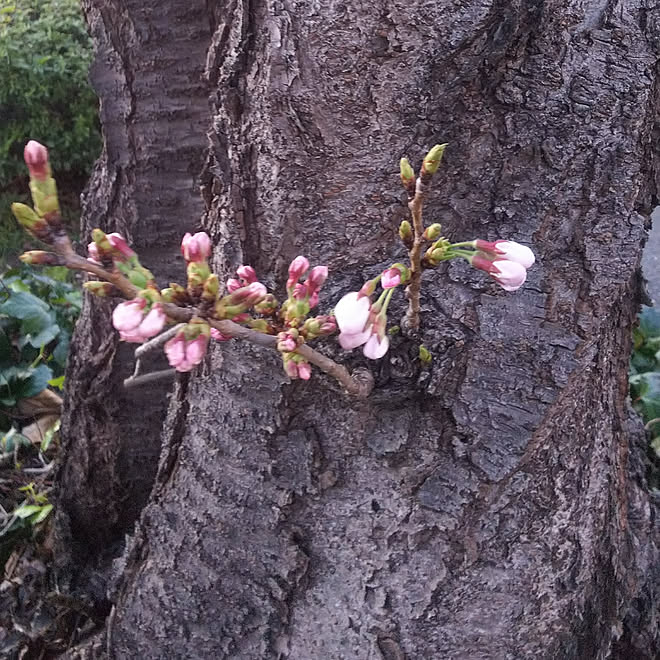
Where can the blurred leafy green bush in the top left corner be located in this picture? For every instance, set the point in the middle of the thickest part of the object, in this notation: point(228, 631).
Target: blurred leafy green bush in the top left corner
point(45, 53)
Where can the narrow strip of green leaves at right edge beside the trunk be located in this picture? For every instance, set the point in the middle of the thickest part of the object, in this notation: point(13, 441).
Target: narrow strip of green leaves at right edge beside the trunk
point(645, 372)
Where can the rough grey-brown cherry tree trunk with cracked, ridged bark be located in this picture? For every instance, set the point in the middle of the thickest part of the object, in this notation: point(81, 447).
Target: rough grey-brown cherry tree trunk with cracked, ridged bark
point(491, 506)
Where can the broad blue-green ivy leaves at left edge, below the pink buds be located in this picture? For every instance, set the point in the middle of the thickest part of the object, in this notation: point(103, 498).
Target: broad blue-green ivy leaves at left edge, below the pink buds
point(37, 315)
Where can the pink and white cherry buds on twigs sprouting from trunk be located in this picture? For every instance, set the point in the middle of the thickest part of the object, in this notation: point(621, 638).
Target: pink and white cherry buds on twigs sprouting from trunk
point(359, 316)
